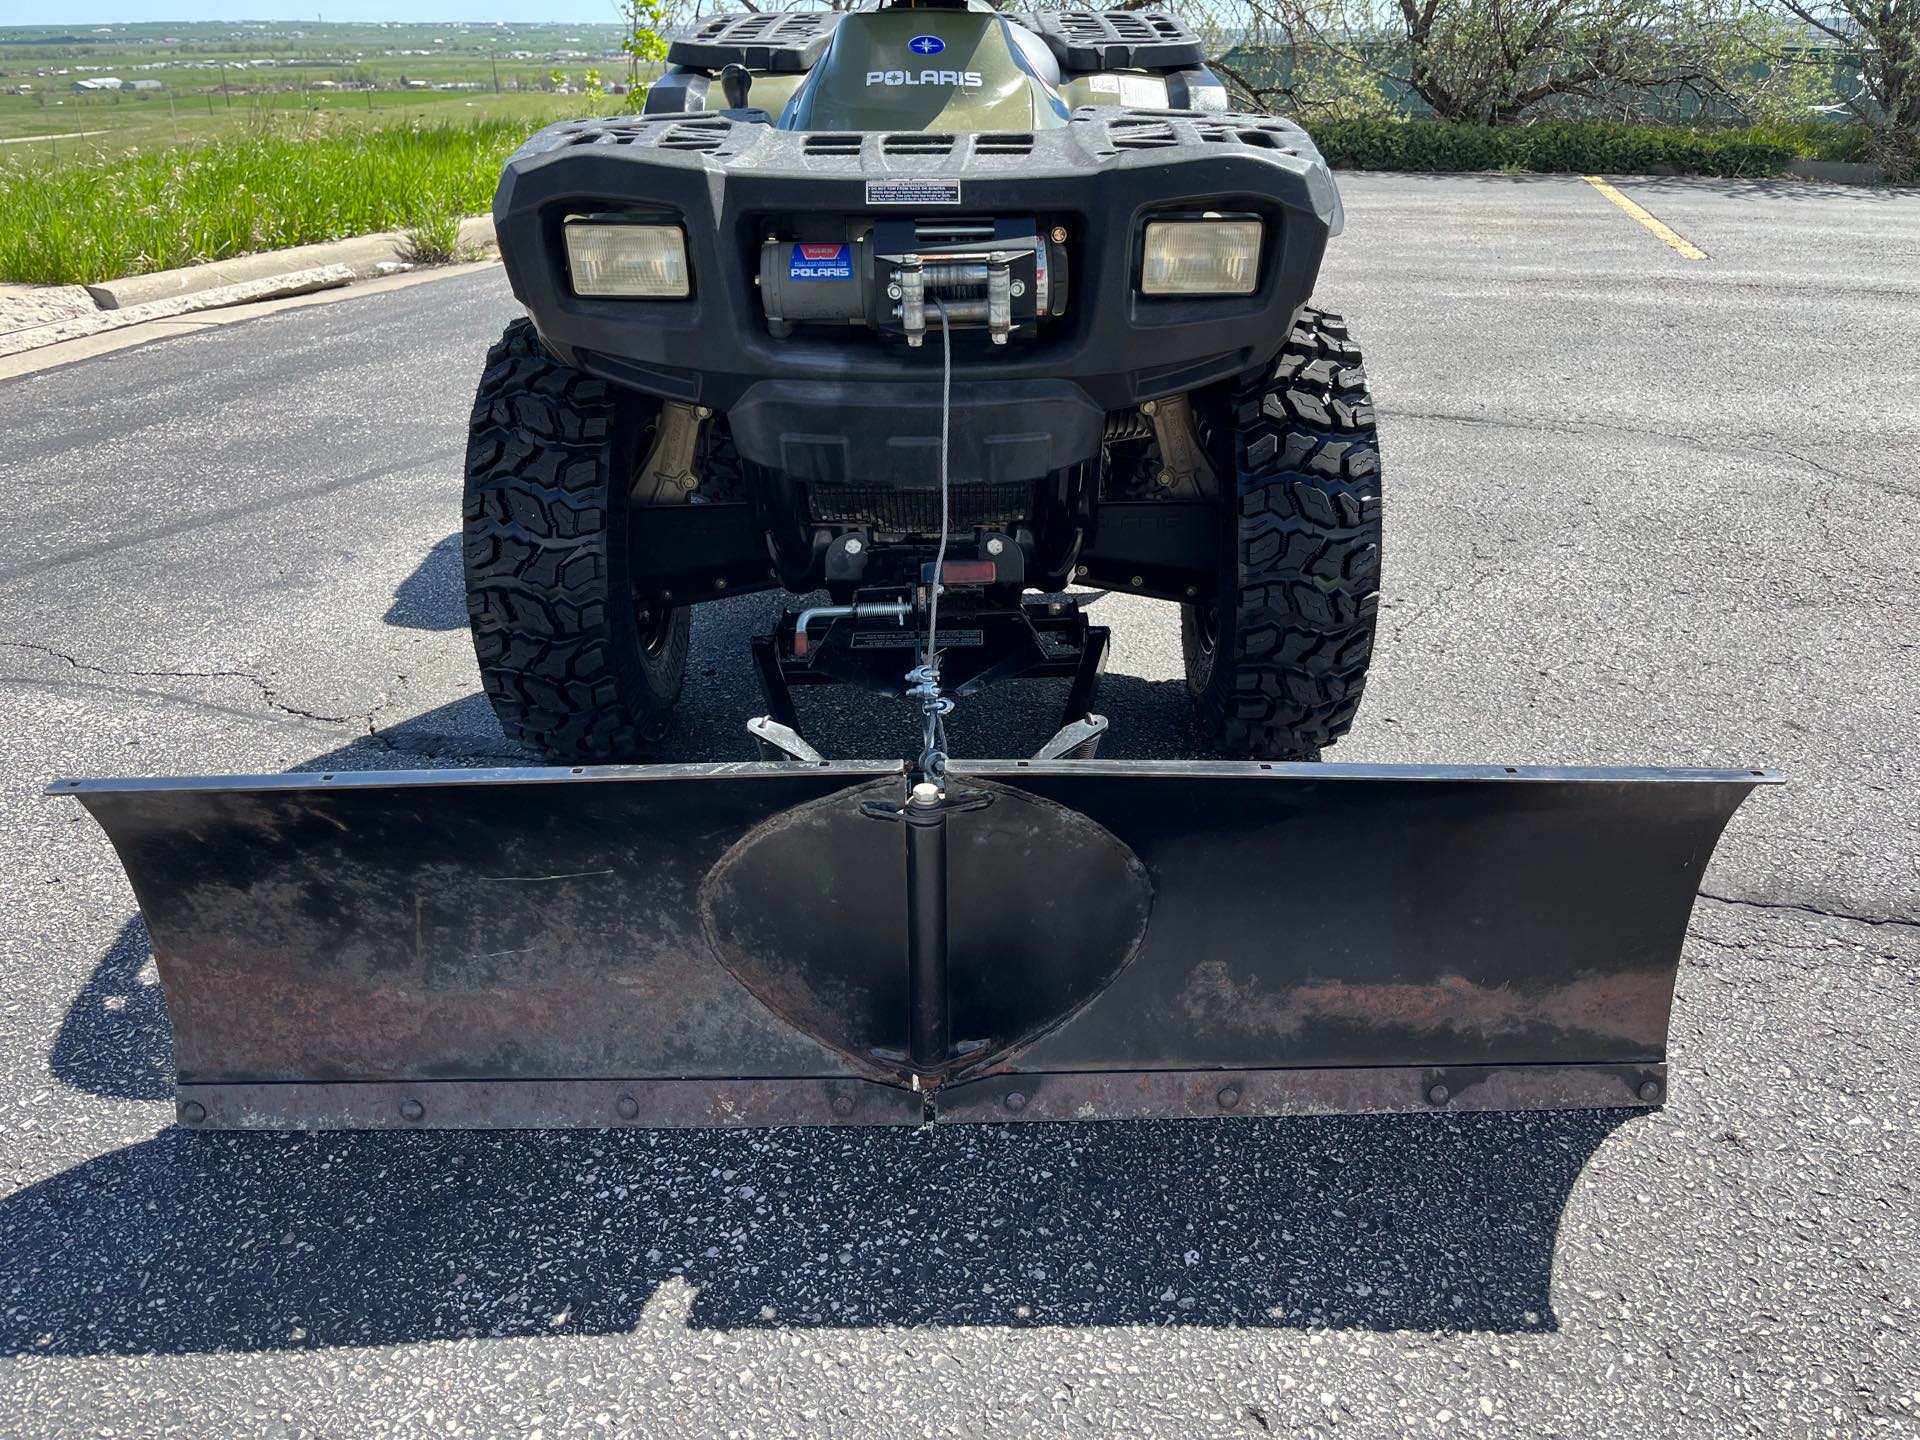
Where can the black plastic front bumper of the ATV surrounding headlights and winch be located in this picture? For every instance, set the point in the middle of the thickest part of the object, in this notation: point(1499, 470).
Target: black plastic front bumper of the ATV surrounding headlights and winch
point(840, 406)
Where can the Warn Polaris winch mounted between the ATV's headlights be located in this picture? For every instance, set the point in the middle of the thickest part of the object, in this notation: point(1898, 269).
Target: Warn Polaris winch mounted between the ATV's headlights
point(1001, 276)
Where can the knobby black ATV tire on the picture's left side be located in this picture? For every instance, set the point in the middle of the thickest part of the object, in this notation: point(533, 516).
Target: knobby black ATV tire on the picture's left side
point(573, 665)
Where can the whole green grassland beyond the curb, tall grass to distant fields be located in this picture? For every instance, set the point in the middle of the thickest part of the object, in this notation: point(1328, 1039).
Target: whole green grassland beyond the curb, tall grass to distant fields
point(268, 135)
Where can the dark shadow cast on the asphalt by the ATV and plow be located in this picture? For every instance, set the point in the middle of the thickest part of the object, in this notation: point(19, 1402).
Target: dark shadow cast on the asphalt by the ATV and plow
point(216, 1243)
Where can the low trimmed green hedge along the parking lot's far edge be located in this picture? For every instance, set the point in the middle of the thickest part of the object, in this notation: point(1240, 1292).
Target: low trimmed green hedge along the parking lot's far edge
point(1556, 147)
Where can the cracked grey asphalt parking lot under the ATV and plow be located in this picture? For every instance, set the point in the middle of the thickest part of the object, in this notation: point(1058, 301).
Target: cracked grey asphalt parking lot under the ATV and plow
point(1643, 510)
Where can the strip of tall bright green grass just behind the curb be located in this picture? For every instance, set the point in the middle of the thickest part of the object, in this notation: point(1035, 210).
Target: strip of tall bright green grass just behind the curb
point(99, 222)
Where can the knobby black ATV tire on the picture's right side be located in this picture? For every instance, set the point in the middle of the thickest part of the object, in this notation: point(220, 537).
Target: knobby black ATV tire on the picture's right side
point(1280, 661)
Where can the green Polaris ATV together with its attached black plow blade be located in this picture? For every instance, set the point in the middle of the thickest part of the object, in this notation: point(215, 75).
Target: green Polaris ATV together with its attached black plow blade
point(961, 320)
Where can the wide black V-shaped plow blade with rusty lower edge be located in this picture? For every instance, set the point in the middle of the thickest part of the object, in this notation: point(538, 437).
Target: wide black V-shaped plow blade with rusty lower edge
point(752, 946)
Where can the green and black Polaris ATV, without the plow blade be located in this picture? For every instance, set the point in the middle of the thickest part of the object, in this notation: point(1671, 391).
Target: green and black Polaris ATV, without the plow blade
point(924, 308)
